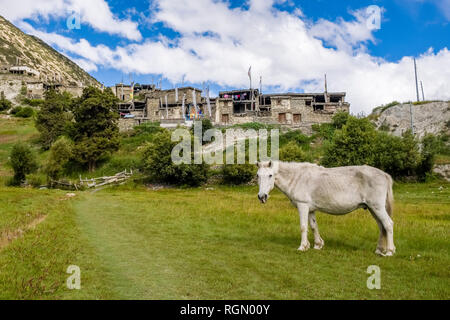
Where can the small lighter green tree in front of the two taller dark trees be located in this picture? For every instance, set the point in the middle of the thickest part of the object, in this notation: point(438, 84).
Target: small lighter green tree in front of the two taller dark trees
point(60, 153)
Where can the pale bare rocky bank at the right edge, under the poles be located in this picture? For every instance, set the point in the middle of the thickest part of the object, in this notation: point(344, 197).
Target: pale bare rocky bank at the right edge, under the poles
point(428, 117)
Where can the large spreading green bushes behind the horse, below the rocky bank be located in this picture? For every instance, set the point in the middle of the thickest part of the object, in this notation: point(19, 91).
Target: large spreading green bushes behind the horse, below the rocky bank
point(358, 143)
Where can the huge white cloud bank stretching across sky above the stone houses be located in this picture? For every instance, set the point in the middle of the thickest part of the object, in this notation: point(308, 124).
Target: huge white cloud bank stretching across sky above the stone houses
point(218, 44)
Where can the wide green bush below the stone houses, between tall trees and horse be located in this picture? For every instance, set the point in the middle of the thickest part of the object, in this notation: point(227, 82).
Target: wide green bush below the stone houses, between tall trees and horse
point(157, 163)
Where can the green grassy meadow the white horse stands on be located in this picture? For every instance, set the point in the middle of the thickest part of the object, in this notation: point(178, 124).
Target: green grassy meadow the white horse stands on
point(211, 242)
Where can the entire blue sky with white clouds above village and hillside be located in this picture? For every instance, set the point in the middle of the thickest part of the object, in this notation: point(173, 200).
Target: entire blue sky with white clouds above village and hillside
point(291, 44)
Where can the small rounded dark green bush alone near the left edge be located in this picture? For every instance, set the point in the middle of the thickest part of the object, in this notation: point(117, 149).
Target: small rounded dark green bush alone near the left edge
point(23, 161)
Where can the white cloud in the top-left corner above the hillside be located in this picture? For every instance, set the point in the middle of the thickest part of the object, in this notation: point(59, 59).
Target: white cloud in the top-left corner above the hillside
point(96, 13)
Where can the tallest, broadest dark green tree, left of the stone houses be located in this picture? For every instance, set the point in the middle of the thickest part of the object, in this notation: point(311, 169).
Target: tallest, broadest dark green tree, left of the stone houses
point(95, 130)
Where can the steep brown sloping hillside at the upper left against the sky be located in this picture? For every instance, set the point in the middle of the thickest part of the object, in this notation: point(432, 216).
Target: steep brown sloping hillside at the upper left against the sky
point(35, 53)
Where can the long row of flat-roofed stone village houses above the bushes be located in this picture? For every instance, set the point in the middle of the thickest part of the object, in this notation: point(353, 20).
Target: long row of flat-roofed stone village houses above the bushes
point(180, 106)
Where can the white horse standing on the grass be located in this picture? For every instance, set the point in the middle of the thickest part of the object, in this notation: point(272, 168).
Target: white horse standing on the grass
point(332, 190)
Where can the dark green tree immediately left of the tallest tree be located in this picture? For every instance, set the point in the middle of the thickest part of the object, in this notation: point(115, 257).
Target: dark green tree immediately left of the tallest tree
point(53, 117)
